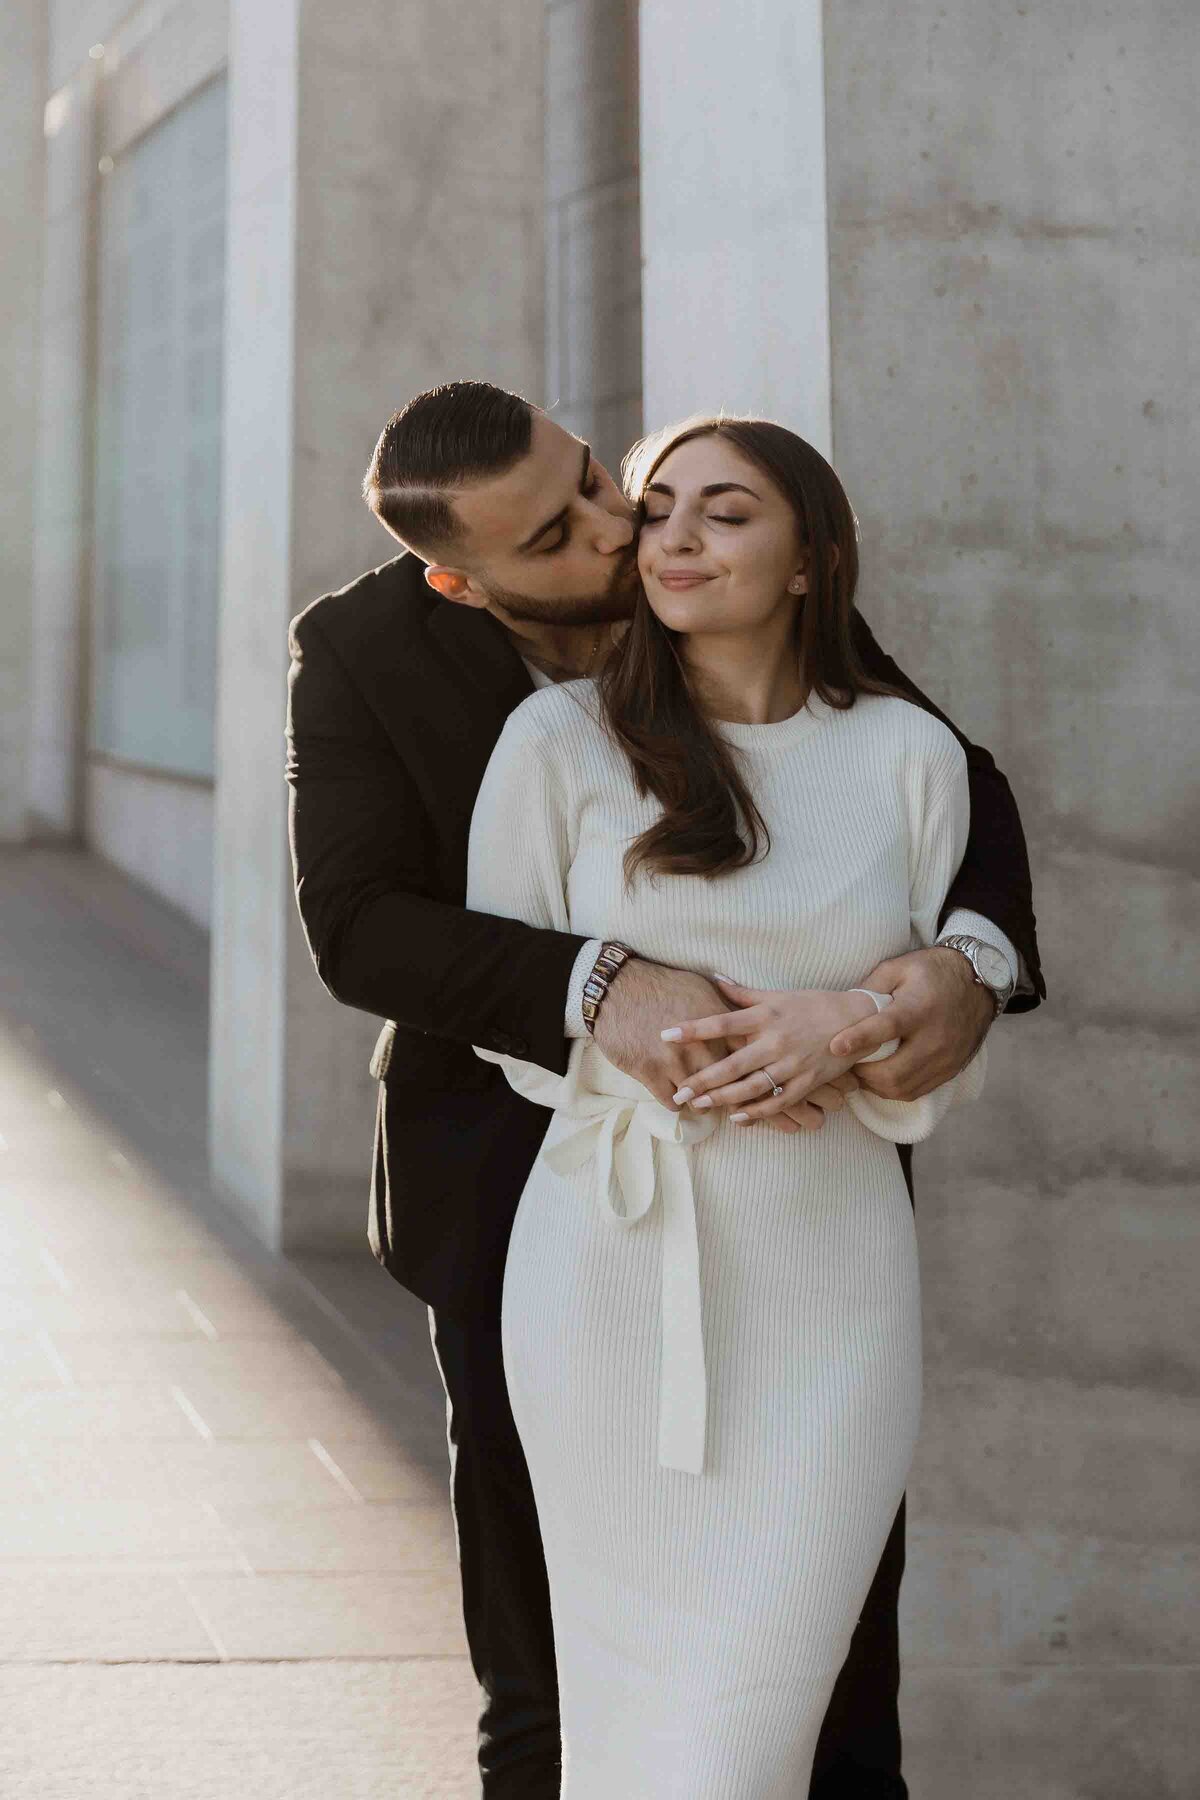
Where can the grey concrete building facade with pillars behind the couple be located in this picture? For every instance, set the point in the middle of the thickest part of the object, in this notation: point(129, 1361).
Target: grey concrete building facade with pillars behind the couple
point(953, 247)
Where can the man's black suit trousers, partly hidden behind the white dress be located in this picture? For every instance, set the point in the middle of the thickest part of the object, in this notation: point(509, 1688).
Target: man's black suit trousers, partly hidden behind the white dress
point(506, 1605)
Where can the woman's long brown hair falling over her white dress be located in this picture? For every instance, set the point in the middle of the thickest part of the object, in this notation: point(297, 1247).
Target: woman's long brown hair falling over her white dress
point(710, 820)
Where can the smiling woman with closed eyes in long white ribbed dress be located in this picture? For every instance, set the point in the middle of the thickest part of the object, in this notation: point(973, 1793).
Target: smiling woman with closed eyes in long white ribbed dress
point(712, 1331)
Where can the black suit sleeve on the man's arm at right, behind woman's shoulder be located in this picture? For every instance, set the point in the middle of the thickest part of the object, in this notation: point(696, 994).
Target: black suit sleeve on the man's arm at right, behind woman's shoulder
point(994, 879)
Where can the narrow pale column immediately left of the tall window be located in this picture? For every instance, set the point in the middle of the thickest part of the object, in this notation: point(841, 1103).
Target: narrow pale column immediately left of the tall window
point(64, 463)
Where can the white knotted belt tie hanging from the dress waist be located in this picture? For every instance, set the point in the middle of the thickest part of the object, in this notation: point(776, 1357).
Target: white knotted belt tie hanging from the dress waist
point(641, 1155)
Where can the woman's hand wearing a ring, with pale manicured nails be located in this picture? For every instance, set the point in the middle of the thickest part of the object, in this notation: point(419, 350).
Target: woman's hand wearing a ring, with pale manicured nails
point(780, 1030)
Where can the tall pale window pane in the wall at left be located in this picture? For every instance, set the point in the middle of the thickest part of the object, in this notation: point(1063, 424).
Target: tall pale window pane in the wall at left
point(159, 442)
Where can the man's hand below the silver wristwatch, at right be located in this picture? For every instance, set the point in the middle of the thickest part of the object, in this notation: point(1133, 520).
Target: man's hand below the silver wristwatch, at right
point(940, 1014)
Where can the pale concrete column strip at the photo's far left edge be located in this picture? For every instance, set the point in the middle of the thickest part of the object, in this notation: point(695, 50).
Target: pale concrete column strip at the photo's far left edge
point(22, 177)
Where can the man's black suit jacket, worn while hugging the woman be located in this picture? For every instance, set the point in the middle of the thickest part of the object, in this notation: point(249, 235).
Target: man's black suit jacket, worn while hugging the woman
point(397, 701)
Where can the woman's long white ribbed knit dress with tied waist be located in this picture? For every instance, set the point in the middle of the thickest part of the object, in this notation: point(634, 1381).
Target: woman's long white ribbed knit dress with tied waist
point(712, 1333)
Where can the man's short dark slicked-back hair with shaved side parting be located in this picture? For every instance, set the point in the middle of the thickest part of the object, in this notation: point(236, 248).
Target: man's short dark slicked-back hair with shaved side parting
point(454, 435)
